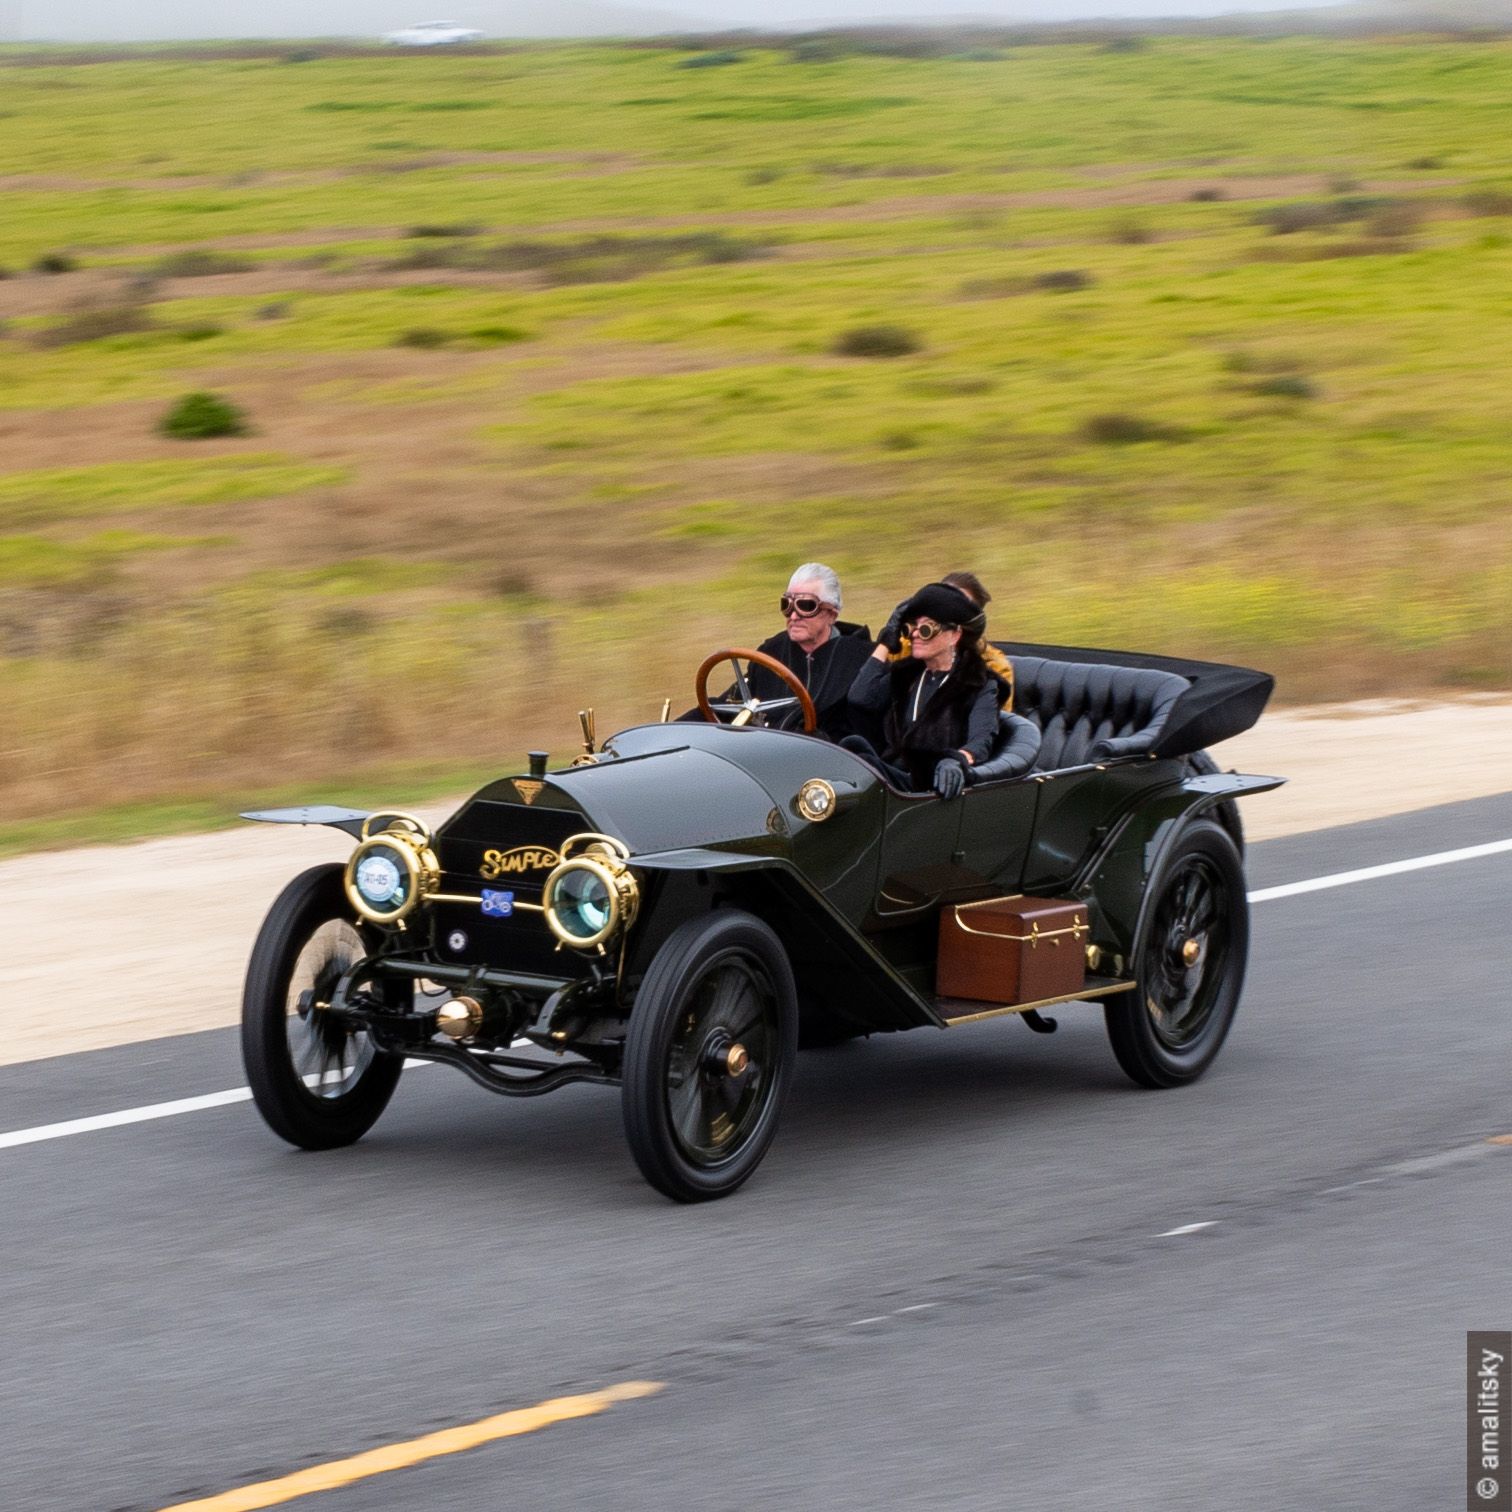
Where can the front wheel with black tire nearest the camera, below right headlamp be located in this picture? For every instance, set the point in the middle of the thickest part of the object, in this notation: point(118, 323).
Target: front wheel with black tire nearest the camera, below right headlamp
point(696, 1130)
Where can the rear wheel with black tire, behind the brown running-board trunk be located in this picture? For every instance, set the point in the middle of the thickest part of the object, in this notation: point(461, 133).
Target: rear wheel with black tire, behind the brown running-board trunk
point(1168, 1030)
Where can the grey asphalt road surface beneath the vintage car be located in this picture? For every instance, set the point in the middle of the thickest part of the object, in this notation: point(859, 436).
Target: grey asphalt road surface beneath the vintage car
point(947, 1287)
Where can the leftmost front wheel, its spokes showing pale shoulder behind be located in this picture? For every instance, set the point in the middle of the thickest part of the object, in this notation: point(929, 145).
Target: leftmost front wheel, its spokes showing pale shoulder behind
point(303, 949)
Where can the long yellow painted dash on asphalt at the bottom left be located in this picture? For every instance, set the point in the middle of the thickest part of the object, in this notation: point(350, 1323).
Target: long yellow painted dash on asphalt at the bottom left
point(412, 1452)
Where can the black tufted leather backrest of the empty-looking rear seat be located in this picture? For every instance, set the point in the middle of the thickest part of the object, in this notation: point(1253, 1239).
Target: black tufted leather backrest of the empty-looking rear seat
point(1089, 711)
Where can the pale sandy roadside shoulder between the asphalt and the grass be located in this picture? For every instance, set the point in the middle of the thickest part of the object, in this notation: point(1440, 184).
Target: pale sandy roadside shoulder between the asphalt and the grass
point(135, 943)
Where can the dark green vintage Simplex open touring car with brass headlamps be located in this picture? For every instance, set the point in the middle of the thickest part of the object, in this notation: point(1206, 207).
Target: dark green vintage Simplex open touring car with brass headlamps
point(678, 912)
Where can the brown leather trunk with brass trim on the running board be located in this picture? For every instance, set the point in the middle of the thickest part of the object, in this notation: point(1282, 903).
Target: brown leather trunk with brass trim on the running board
point(1012, 950)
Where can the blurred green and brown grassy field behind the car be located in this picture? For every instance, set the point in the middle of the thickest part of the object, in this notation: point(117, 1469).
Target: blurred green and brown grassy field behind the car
point(539, 352)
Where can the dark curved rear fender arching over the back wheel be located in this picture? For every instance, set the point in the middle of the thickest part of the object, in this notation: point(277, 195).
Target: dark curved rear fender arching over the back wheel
point(1117, 885)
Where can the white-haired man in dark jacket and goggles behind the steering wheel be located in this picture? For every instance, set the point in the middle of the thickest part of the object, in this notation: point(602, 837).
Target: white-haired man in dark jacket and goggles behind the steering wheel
point(817, 646)
